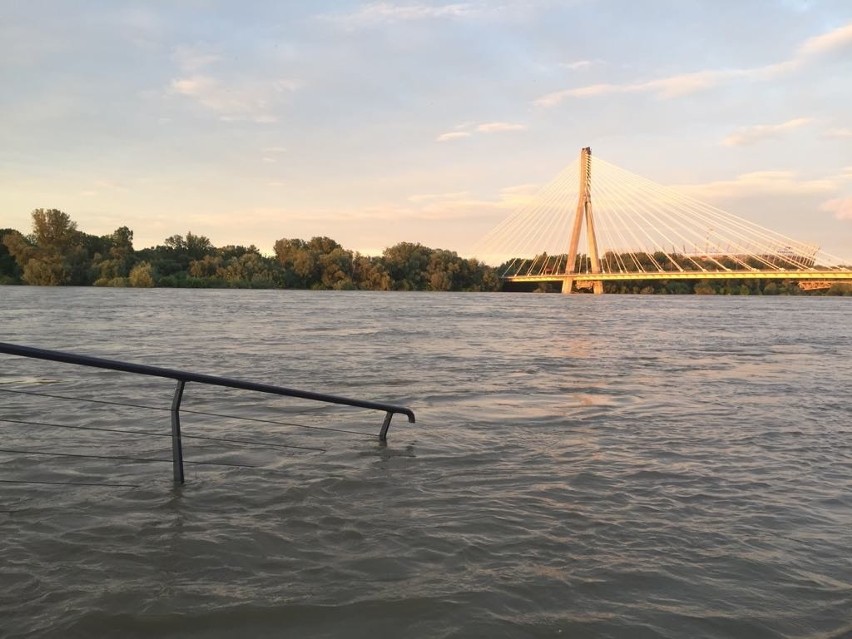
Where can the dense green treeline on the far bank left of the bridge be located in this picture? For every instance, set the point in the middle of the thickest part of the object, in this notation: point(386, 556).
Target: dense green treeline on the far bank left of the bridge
point(56, 253)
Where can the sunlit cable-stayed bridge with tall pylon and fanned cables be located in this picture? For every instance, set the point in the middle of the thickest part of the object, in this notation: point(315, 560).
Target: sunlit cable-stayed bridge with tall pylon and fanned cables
point(634, 229)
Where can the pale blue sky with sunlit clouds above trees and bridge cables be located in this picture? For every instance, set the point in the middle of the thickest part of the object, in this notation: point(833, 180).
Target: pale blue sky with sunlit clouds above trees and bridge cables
point(380, 122)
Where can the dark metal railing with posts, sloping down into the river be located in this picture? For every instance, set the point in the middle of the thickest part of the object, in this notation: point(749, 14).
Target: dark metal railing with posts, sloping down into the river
point(182, 377)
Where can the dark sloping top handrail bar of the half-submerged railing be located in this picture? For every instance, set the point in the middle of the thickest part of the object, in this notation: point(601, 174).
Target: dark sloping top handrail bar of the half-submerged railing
point(186, 376)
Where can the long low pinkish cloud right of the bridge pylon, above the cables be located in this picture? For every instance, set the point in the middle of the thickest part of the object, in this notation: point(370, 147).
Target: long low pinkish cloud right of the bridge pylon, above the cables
point(760, 183)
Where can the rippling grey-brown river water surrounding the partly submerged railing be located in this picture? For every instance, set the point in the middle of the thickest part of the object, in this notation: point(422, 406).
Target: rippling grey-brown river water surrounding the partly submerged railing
point(613, 466)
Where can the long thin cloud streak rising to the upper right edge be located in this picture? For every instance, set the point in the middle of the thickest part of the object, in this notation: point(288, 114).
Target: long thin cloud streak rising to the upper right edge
point(692, 82)
